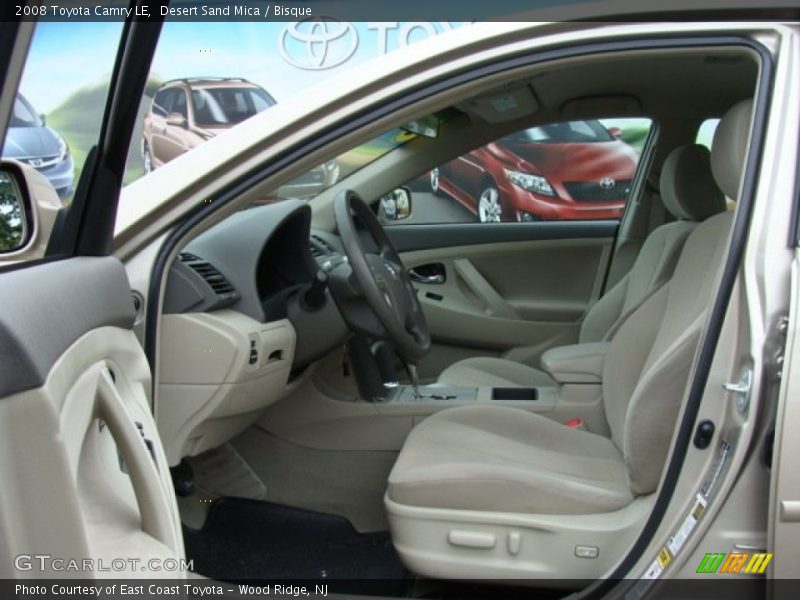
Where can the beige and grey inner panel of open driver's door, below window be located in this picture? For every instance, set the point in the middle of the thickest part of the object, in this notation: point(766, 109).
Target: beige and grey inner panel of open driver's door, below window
point(84, 473)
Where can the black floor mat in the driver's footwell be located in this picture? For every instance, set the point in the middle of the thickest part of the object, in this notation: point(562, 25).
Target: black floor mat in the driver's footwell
point(251, 539)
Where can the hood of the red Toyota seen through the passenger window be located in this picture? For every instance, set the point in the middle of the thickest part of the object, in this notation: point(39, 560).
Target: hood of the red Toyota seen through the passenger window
point(576, 160)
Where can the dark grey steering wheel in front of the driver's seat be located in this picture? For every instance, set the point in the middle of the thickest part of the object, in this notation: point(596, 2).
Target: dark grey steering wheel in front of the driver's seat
point(380, 281)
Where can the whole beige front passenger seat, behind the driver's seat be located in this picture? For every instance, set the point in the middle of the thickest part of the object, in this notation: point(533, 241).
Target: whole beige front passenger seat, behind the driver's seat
point(691, 195)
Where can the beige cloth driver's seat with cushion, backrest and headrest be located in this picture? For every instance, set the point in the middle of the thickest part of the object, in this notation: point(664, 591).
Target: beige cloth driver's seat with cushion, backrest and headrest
point(495, 458)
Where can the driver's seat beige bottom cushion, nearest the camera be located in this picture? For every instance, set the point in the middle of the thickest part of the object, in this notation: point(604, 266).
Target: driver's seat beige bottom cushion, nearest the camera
point(497, 458)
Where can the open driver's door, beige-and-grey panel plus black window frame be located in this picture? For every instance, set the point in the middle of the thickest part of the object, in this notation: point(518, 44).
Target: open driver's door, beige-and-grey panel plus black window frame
point(83, 473)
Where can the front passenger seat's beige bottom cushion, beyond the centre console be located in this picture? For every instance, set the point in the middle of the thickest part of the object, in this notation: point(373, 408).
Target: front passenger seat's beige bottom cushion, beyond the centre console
point(494, 372)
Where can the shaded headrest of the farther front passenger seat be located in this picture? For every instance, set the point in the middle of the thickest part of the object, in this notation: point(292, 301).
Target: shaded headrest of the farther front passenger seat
point(687, 185)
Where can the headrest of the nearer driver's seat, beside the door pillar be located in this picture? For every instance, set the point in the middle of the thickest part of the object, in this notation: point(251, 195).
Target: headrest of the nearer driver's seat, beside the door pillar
point(729, 149)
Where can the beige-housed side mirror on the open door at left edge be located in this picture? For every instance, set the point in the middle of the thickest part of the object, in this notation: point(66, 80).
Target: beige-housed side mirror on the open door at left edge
point(28, 208)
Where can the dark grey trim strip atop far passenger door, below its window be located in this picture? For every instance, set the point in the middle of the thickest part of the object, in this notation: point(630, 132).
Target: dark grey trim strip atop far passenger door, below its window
point(407, 238)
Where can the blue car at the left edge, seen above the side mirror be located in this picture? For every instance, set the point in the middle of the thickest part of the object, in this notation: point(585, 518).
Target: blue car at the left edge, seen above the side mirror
point(31, 141)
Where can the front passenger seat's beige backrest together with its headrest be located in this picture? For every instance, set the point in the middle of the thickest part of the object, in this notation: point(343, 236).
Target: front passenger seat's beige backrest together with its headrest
point(689, 192)
